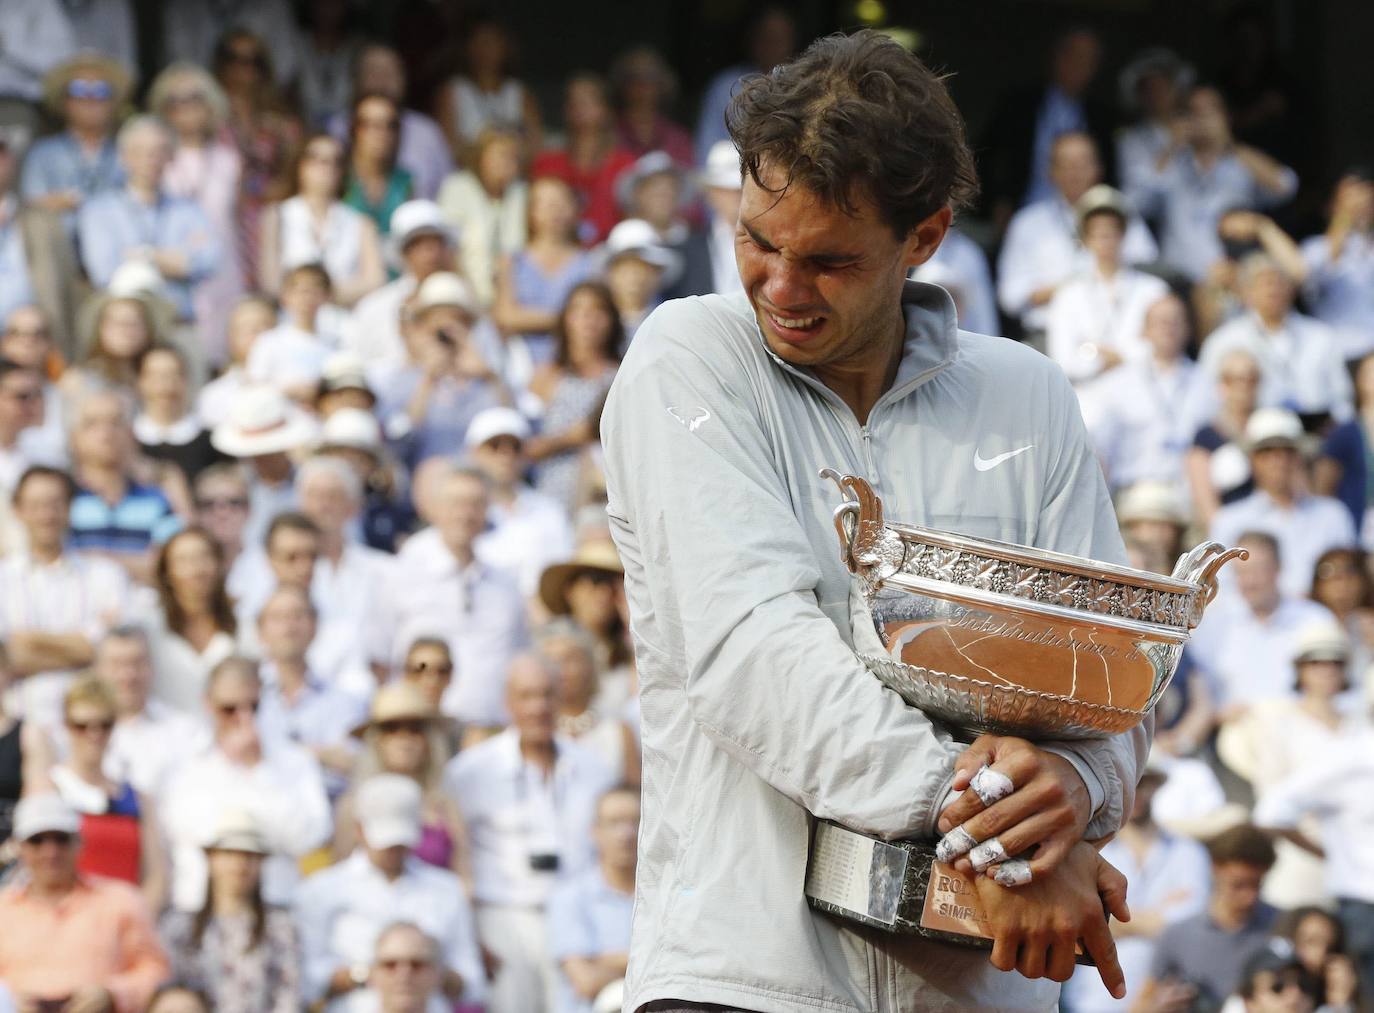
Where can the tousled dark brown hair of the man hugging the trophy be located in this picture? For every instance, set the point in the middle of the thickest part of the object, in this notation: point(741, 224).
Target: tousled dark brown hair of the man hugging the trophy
point(858, 118)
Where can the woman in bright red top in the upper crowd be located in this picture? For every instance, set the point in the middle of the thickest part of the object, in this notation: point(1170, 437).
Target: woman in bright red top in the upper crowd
point(592, 160)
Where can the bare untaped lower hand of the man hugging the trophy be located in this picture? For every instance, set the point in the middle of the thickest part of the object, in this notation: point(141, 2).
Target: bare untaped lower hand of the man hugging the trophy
point(1037, 928)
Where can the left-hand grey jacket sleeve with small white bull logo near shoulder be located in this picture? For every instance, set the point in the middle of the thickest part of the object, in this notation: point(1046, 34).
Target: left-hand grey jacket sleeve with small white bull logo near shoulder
point(717, 555)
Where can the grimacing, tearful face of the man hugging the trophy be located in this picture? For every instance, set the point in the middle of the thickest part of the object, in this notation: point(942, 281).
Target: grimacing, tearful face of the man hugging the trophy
point(825, 287)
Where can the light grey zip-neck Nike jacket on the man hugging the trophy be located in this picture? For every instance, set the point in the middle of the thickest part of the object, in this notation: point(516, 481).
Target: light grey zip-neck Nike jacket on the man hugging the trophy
point(758, 715)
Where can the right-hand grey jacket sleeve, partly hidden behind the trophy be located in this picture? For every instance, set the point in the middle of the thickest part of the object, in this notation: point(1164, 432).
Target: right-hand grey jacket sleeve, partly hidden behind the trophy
point(1077, 517)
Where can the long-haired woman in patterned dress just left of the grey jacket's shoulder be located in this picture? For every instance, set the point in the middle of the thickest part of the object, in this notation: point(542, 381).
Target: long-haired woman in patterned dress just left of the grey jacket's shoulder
point(572, 388)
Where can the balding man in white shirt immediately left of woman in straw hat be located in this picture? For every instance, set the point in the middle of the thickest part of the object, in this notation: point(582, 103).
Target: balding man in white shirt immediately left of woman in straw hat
point(440, 586)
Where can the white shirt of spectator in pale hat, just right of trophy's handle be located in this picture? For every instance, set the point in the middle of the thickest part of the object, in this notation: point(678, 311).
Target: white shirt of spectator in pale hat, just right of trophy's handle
point(1303, 531)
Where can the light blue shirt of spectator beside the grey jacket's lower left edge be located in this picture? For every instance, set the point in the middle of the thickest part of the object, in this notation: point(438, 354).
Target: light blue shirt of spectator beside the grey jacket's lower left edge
point(586, 919)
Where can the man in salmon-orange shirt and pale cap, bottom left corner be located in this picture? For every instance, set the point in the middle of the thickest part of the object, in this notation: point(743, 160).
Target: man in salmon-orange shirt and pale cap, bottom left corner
point(71, 939)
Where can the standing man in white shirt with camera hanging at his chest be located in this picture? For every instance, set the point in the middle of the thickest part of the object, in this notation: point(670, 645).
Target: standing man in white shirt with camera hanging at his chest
point(519, 864)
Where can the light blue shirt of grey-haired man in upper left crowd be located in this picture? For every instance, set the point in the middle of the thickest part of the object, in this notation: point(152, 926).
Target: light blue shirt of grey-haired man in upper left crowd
point(112, 225)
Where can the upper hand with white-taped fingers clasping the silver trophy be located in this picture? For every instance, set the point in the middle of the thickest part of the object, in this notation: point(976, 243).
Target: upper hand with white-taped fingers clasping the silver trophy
point(1048, 809)
